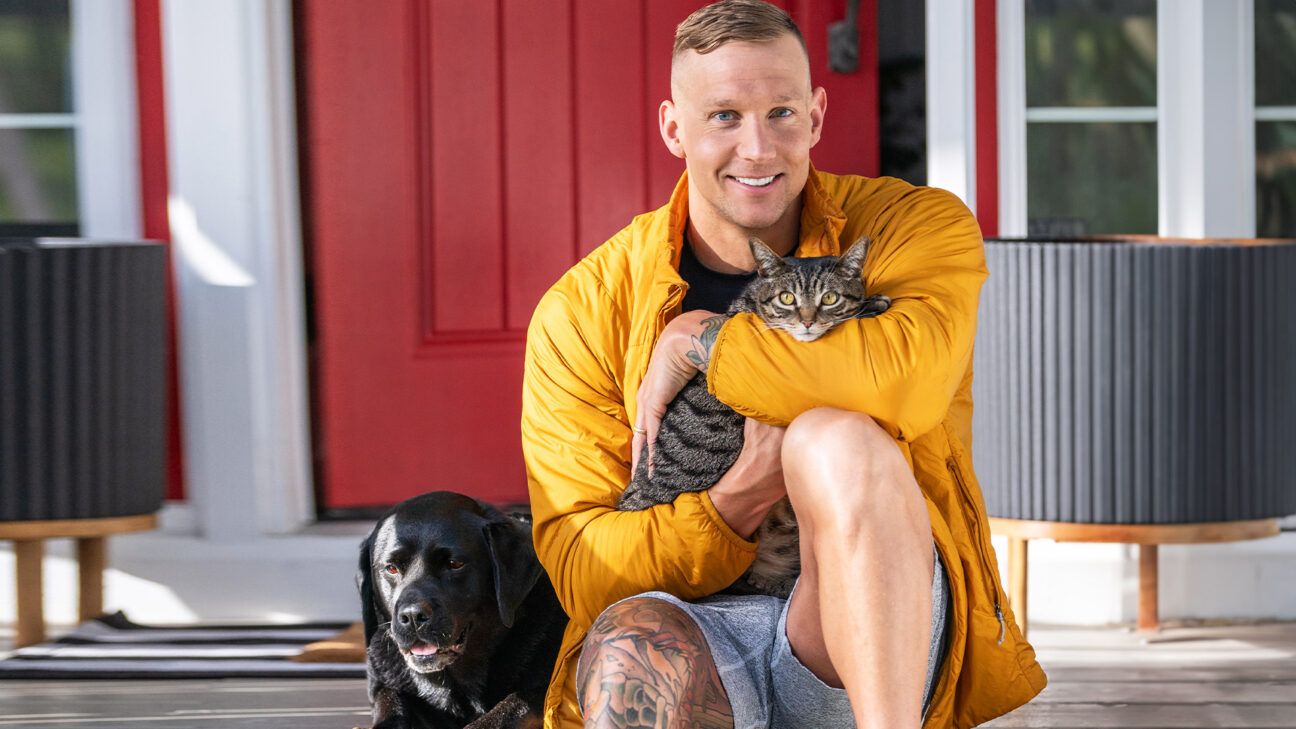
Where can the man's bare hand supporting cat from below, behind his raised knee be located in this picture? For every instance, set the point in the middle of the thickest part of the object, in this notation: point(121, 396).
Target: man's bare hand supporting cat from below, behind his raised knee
point(755, 483)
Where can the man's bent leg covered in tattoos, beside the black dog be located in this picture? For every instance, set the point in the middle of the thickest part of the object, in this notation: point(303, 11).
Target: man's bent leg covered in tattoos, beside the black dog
point(646, 665)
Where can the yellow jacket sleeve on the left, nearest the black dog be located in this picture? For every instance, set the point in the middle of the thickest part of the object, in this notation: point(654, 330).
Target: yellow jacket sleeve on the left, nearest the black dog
point(576, 442)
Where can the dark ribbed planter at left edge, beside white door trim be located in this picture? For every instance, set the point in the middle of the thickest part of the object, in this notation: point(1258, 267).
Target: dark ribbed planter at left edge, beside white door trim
point(82, 379)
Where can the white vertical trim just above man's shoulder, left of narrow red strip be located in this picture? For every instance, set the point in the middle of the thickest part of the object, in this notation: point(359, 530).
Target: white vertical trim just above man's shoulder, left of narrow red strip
point(952, 98)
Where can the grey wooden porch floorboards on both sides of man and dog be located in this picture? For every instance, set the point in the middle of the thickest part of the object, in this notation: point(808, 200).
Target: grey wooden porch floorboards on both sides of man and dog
point(1240, 676)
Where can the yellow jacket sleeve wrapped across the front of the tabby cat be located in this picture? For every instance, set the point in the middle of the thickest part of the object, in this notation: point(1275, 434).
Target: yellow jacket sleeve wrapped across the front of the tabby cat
point(904, 366)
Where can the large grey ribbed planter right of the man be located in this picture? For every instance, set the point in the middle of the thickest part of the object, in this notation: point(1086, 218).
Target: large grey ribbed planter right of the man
point(1137, 381)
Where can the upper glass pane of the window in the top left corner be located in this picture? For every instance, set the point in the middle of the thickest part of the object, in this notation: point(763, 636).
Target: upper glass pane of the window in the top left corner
point(36, 63)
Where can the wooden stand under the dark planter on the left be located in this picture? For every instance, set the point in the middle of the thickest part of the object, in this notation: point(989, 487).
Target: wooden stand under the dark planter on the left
point(91, 535)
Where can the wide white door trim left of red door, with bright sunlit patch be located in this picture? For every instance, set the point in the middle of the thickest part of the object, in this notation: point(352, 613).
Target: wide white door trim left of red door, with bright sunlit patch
point(239, 277)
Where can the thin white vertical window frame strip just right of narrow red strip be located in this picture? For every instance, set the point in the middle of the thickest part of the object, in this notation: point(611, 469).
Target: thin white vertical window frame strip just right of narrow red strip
point(1012, 32)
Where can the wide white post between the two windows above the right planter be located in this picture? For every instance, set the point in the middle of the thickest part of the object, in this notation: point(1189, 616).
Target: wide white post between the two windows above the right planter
point(1206, 136)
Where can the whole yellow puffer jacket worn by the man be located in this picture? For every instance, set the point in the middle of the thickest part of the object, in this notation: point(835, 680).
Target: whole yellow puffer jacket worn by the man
point(912, 369)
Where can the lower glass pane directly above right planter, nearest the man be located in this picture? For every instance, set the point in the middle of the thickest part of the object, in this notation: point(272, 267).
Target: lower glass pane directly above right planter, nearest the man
point(1092, 178)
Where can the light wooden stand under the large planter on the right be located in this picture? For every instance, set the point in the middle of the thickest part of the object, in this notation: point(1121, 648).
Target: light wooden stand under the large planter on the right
point(1146, 536)
